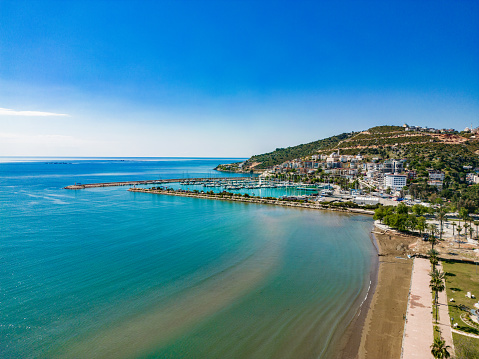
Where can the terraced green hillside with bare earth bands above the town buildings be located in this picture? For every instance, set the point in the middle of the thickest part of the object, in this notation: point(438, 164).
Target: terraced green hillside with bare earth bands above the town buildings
point(422, 149)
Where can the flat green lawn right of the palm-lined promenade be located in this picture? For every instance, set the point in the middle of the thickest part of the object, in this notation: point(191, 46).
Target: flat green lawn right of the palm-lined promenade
point(460, 279)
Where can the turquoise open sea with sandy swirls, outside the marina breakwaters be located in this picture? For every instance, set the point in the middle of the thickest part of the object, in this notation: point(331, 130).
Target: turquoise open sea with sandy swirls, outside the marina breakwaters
point(107, 273)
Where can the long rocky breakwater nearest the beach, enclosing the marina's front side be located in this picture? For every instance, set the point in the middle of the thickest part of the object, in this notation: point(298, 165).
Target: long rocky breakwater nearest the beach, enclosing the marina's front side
point(250, 199)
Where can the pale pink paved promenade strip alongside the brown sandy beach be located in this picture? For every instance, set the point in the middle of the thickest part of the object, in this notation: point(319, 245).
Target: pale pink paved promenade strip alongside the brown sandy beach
point(418, 334)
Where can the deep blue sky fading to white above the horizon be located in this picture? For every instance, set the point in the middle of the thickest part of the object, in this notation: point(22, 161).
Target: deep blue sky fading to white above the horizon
point(228, 78)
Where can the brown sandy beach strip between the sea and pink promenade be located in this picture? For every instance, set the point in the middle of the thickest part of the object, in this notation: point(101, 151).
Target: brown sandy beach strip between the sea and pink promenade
point(382, 333)
